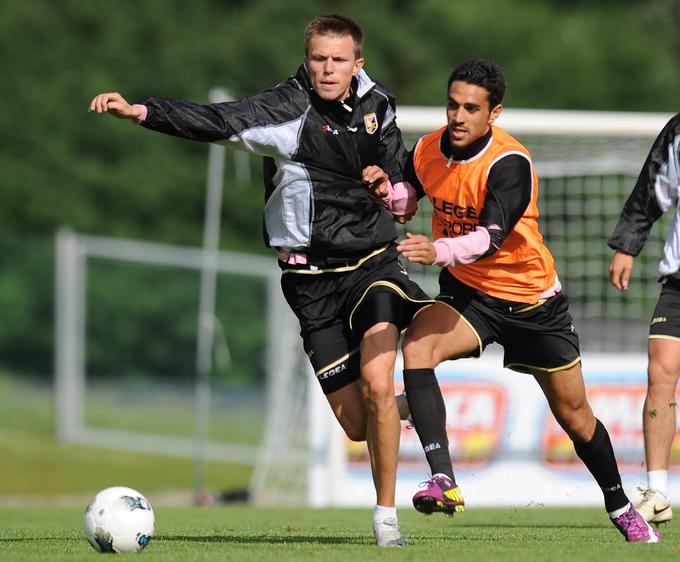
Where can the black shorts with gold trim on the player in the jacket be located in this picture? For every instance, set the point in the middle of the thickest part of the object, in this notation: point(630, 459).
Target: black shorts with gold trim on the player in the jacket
point(336, 306)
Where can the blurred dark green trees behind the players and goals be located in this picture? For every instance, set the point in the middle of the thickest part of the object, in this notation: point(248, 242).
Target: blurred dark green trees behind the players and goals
point(63, 167)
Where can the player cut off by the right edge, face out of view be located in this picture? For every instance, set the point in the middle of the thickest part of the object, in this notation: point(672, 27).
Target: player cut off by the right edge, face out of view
point(656, 190)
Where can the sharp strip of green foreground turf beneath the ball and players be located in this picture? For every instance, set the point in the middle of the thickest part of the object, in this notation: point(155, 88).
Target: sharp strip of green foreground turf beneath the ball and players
point(245, 533)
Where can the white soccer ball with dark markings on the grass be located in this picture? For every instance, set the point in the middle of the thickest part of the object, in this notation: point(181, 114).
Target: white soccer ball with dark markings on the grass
point(119, 519)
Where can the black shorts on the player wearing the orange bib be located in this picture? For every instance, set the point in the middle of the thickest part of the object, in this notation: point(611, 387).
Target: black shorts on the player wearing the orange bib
point(537, 336)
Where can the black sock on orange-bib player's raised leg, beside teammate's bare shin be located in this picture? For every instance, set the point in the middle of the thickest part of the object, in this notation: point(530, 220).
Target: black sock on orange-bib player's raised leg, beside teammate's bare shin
point(429, 418)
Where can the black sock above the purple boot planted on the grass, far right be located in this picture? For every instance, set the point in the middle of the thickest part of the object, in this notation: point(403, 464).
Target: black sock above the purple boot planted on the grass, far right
point(598, 456)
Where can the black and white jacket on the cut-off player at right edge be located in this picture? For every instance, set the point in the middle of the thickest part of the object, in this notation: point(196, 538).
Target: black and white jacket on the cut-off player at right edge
point(657, 190)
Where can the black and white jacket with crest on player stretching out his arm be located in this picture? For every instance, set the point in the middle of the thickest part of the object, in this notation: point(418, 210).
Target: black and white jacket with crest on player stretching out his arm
point(314, 152)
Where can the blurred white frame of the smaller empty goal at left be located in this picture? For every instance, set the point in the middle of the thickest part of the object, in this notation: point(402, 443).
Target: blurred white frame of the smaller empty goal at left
point(72, 254)
